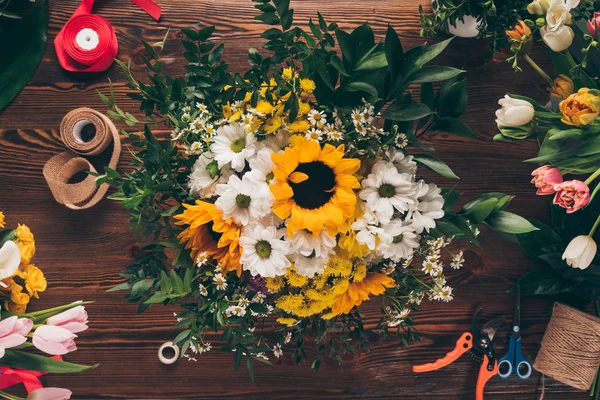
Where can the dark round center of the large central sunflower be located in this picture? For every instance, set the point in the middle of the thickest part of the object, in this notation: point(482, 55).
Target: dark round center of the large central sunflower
point(317, 189)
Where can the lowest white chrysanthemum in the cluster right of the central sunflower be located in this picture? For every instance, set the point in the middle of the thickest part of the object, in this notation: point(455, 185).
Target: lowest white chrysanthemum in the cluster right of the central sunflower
point(399, 240)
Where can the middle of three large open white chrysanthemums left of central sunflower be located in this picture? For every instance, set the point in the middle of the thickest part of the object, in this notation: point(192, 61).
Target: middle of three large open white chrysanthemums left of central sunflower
point(243, 200)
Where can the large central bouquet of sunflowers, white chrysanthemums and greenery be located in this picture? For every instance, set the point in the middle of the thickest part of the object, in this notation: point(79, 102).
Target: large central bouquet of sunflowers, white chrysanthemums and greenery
point(288, 191)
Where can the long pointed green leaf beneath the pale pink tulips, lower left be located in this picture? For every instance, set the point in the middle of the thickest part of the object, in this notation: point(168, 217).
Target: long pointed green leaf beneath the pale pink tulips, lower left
point(34, 362)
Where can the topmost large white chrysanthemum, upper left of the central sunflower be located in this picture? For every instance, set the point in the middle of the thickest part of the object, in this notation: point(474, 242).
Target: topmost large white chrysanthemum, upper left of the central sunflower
point(233, 145)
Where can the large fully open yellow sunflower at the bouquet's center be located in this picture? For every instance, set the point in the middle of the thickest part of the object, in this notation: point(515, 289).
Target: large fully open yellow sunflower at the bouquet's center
point(313, 187)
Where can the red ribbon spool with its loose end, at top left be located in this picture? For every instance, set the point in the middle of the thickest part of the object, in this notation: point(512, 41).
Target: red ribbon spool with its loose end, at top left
point(75, 58)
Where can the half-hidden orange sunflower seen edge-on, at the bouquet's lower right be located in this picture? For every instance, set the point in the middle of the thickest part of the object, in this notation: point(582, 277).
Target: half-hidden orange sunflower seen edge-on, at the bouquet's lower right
point(373, 284)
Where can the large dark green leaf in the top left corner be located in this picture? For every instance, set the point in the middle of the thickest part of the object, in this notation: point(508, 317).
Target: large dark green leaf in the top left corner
point(22, 50)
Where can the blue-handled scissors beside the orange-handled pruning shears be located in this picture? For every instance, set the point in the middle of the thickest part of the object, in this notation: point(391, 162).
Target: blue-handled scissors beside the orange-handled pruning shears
point(514, 363)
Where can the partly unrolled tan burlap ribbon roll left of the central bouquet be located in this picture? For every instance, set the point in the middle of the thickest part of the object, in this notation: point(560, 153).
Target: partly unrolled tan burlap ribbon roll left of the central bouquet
point(62, 167)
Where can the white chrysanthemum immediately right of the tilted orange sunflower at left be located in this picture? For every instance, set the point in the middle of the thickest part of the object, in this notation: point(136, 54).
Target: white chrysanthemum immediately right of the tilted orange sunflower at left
point(264, 251)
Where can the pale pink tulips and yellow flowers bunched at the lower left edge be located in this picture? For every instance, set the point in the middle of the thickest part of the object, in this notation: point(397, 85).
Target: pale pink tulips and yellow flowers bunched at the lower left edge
point(52, 331)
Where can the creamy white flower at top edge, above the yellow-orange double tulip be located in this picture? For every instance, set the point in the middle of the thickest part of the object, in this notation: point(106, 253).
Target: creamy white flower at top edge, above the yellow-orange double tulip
point(556, 34)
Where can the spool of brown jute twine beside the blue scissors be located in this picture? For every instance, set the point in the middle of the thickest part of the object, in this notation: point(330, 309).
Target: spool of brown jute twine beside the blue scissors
point(570, 351)
